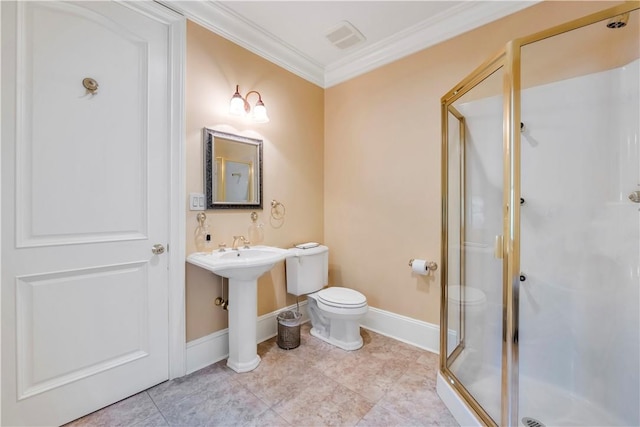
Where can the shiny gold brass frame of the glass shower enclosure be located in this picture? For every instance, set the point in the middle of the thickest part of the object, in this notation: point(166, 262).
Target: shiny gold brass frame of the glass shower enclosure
point(509, 59)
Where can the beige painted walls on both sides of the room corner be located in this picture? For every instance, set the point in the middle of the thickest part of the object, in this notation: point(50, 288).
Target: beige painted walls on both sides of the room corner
point(357, 166)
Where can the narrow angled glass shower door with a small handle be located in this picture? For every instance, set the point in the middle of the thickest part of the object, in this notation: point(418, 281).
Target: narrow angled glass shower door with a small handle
point(474, 216)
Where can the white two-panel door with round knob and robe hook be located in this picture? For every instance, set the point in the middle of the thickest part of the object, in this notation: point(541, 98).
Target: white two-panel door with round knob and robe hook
point(85, 197)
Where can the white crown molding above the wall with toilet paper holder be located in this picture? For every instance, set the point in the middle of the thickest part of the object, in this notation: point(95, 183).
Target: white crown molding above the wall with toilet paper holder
point(443, 26)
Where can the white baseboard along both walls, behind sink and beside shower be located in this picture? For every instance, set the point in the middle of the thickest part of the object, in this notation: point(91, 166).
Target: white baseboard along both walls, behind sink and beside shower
point(215, 347)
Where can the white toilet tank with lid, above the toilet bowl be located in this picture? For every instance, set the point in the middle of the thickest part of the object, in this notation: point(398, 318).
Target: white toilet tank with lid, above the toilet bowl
point(307, 270)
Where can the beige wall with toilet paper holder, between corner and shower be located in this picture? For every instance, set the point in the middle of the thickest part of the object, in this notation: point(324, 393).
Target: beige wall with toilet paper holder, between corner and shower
point(382, 192)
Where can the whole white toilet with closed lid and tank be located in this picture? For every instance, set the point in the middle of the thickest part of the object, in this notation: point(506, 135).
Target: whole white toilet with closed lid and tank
point(335, 312)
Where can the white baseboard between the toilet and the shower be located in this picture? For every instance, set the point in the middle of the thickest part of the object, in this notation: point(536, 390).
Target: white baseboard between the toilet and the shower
point(420, 334)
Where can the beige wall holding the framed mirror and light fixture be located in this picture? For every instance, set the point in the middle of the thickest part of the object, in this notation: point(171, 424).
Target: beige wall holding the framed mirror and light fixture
point(293, 163)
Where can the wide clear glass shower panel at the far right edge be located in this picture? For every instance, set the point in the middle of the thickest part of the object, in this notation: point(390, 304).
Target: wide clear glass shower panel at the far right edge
point(580, 236)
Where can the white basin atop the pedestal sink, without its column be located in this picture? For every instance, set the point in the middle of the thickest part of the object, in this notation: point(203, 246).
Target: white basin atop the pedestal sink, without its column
point(241, 264)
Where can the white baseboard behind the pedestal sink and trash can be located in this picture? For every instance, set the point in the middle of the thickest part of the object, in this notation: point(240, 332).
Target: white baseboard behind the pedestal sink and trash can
point(215, 347)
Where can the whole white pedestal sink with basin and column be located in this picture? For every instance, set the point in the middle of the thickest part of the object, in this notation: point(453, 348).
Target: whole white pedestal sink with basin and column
point(242, 267)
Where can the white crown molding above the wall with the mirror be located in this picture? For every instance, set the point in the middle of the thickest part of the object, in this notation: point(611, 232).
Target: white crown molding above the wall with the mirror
point(228, 24)
